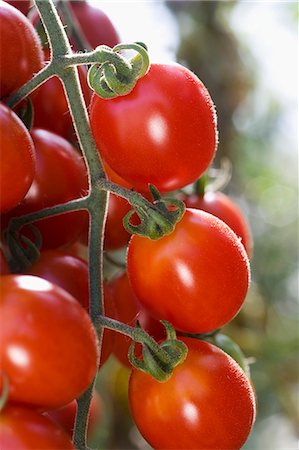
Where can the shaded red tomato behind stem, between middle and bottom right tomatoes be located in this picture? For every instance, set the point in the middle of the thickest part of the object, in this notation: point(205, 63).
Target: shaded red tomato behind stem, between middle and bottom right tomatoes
point(128, 310)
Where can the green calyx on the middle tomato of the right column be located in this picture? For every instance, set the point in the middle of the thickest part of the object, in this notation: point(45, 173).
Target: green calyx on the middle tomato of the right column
point(157, 219)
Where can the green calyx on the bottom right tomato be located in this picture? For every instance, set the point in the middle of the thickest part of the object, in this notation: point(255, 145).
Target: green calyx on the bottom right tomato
point(160, 361)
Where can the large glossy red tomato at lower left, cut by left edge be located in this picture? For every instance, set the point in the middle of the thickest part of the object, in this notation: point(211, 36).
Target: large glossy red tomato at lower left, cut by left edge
point(48, 346)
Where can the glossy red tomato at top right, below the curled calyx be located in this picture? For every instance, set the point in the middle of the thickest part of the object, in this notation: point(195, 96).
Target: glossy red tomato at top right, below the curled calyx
point(163, 132)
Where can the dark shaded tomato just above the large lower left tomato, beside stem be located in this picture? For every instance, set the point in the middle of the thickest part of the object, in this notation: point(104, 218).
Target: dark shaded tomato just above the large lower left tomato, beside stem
point(66, 271)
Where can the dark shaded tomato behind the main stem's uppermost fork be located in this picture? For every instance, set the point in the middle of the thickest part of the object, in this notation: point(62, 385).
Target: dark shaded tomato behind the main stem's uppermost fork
point(50, 105)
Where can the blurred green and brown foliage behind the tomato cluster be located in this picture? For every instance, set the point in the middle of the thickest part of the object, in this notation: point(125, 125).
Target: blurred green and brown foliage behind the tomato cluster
point(252, 132)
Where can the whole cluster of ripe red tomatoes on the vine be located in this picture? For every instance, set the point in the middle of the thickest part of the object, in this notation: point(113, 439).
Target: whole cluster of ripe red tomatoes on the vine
point(163, 133)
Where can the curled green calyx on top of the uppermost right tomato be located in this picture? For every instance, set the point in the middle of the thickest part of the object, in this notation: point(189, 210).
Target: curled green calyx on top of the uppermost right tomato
point(114, 75)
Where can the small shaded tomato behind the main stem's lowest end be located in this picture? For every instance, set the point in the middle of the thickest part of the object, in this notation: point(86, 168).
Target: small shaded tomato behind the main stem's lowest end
point(65, 416)
